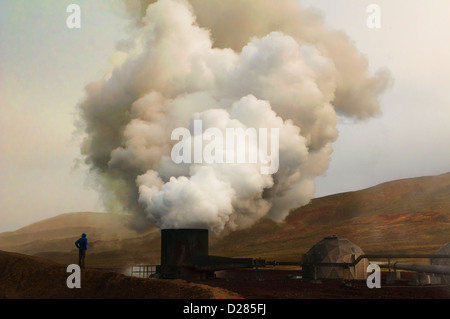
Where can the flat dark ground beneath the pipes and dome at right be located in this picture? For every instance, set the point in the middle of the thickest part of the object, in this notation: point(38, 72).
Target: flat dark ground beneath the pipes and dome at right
point(288, 285)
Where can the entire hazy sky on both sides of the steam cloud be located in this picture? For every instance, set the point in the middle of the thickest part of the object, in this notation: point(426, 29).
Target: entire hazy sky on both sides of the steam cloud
point(44, 67)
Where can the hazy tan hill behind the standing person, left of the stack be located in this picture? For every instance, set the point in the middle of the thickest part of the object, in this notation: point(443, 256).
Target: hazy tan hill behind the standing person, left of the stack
point(111, 242)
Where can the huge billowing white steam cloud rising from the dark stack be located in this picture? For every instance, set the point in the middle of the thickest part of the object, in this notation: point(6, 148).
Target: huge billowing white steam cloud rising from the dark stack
point(232, 64)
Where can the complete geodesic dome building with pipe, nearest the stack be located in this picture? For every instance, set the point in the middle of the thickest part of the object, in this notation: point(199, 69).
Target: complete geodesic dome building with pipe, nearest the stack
point(331, 258)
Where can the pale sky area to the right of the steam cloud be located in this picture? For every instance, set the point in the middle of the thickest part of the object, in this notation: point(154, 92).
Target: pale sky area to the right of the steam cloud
point(412, 137)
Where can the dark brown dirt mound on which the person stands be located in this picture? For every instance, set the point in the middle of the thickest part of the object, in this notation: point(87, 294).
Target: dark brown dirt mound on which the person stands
point(27, 277)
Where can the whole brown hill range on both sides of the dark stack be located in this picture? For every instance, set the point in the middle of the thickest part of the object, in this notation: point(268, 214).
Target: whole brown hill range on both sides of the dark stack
point(409, 215)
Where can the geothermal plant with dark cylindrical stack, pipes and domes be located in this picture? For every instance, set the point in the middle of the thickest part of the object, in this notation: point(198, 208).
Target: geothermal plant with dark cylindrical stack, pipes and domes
point(185, 255)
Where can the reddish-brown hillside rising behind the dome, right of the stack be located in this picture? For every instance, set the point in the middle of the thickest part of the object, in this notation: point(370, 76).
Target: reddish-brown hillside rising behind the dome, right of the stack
point(409, 215)
